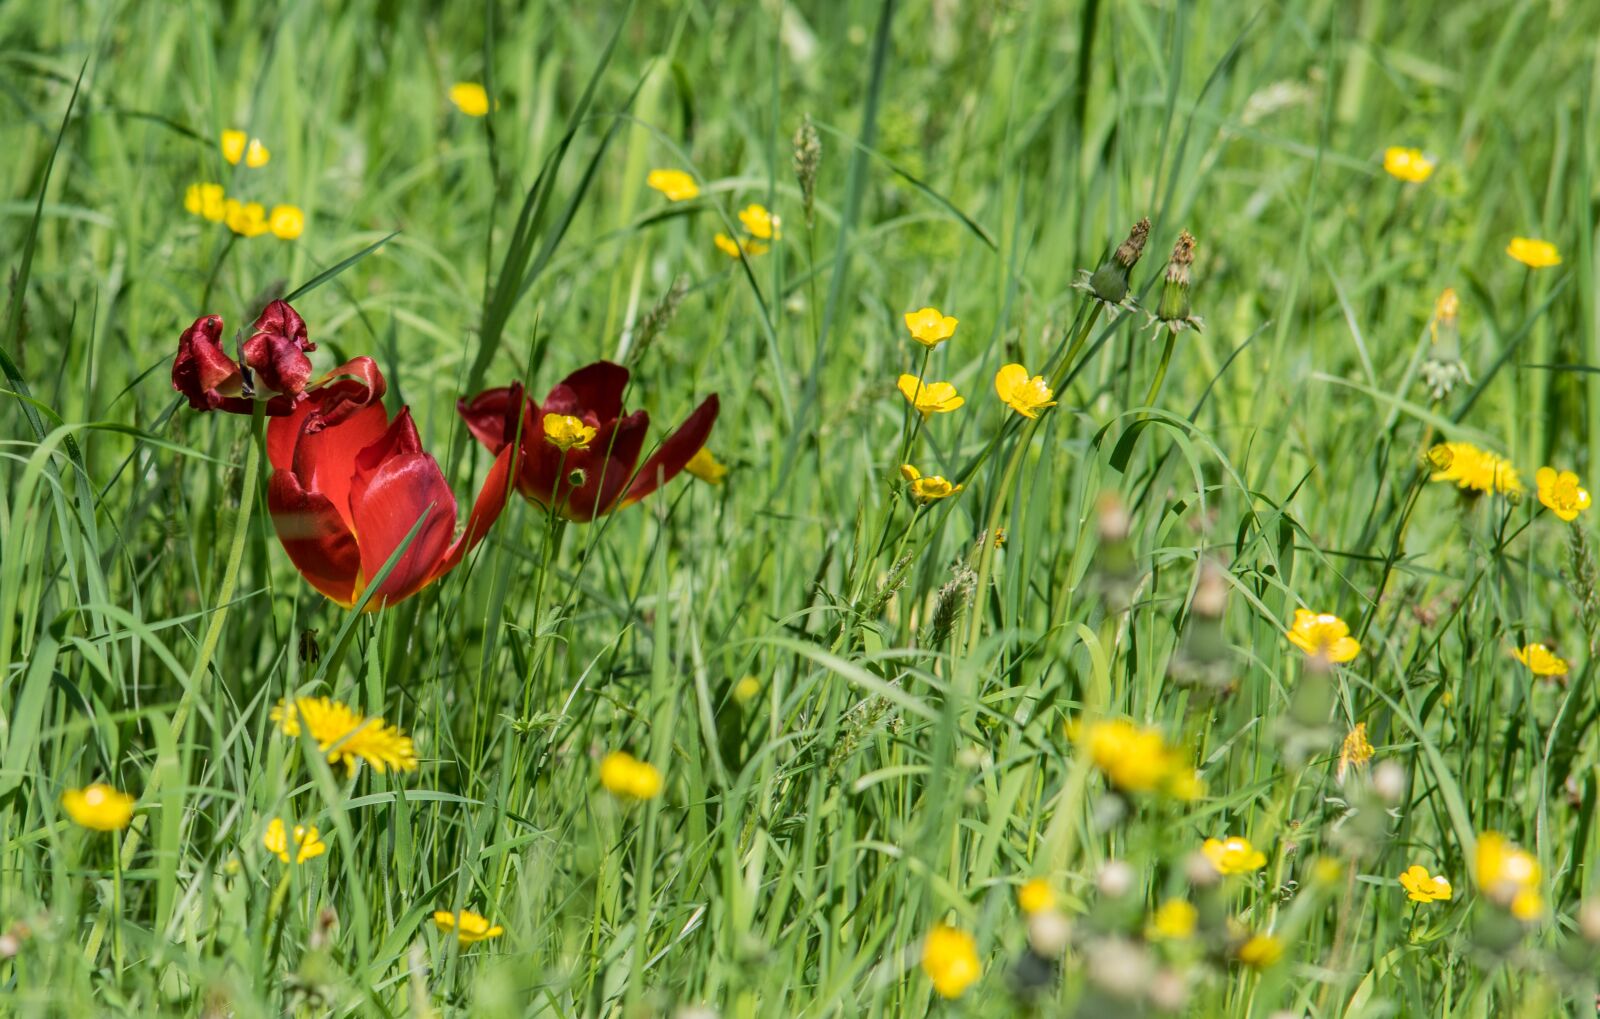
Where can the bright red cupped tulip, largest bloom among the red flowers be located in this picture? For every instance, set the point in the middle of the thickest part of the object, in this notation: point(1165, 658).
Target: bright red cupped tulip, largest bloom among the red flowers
point(350, 486)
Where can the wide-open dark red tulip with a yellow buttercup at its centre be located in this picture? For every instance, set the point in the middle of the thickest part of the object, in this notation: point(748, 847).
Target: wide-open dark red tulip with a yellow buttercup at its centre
point(578, 449)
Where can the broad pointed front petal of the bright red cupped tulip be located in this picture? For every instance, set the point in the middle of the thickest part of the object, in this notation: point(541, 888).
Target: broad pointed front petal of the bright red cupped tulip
point(396, 486)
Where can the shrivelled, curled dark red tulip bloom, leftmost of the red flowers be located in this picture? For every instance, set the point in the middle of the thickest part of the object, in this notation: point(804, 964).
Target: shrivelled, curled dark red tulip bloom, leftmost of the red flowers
point(276, 364)
